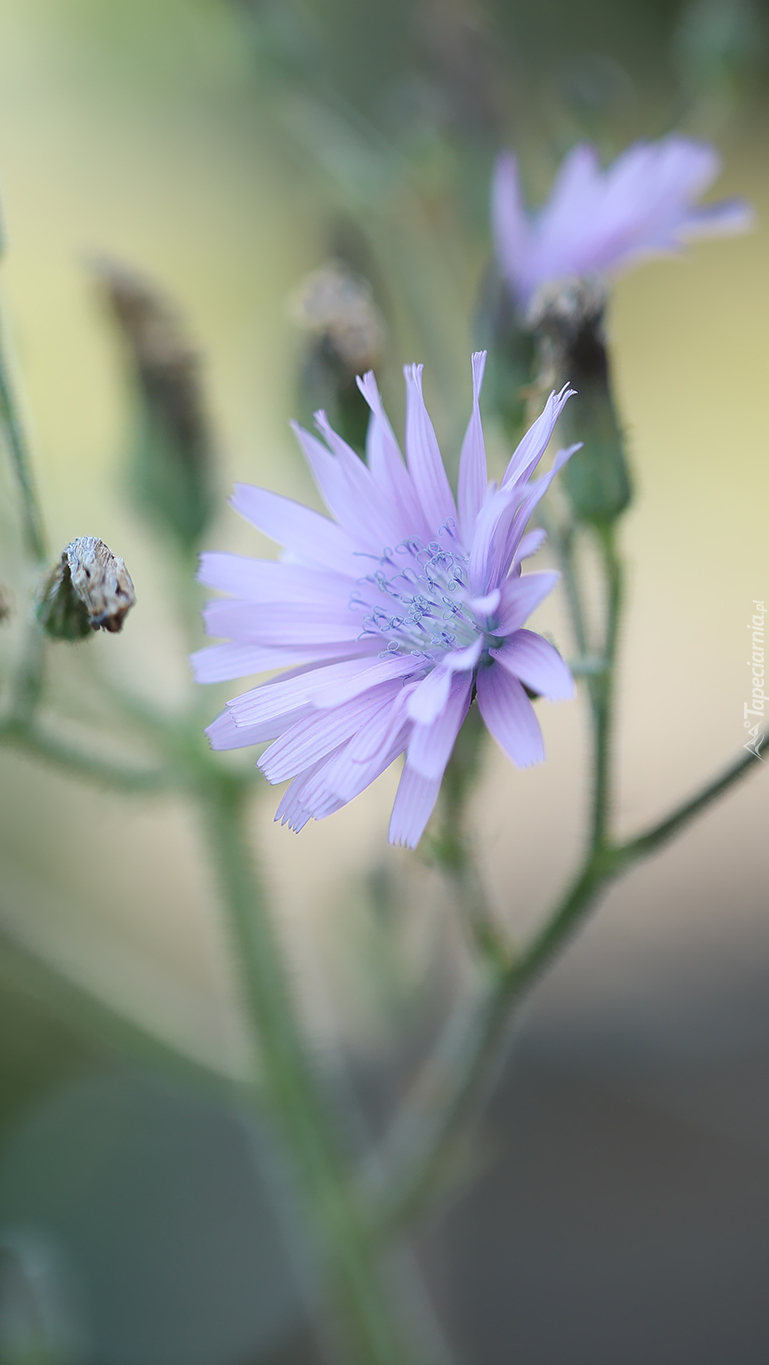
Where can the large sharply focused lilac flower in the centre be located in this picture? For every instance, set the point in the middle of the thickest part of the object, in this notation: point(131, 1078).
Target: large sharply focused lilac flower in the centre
point(390, 615)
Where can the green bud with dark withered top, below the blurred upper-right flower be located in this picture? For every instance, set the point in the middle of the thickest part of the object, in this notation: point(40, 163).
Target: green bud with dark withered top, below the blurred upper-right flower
point(568, 321)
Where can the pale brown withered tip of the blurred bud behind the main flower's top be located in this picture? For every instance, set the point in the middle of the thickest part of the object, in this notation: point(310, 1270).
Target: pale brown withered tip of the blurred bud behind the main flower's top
point(338, 305)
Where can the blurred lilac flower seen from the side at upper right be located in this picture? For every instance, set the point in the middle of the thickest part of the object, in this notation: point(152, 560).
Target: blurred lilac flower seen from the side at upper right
point(599, 220)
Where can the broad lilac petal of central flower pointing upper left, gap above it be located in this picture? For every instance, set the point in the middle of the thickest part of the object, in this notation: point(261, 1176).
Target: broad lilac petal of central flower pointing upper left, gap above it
point(301, 530)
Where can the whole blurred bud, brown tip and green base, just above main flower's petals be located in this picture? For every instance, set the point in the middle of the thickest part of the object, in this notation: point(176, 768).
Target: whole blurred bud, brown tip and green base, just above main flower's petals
point(337, 306)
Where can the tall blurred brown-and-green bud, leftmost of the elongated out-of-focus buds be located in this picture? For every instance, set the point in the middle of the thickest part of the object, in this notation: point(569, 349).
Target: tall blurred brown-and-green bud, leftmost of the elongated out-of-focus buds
point(173, 462)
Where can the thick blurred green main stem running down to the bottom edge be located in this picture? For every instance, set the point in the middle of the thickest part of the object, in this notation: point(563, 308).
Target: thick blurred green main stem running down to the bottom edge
point(361, 1302)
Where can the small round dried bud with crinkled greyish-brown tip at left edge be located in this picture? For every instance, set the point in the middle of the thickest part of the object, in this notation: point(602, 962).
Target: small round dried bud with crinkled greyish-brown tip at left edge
point(89, 590)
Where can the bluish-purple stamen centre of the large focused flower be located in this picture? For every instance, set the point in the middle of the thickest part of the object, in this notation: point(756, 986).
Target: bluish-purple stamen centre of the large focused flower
point(427, 607)
